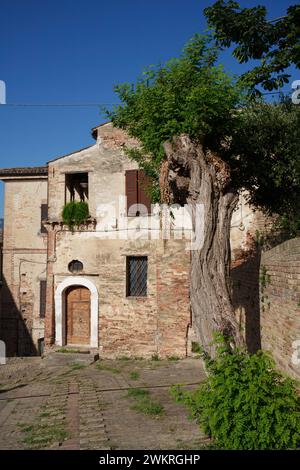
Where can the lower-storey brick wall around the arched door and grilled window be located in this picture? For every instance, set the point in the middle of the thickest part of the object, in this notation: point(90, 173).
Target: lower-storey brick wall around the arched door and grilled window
point(132, 326)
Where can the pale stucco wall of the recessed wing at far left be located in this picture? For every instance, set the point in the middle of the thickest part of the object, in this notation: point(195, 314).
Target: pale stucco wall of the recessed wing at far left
point(24, 265)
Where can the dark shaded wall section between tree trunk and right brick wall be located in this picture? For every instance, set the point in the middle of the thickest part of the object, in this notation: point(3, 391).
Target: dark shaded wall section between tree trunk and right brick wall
point(245, 275)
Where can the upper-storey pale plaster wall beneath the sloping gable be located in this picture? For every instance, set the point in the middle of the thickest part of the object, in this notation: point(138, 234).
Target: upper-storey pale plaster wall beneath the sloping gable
point(106, 163)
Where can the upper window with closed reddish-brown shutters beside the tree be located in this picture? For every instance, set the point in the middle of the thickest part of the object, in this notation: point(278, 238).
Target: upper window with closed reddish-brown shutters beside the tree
point(136, 193)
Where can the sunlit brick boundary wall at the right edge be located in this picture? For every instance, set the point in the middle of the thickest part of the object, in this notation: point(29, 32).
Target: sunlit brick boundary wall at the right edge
point(280, 303)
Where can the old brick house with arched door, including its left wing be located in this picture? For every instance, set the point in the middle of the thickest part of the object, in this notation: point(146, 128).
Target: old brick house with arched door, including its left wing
point(116, 284)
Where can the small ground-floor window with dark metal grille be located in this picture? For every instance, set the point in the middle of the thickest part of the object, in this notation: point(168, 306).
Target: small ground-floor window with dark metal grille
point(137, 267)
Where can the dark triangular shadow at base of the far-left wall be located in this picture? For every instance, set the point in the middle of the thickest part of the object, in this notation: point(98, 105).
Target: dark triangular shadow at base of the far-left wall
point(14, 329)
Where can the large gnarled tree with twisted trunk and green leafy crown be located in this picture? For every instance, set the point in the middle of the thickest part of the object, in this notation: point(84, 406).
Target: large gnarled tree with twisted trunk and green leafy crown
point(203, 142)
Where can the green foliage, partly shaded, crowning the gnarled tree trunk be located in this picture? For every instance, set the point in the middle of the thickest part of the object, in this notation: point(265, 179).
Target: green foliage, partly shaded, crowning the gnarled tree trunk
point(192, 95)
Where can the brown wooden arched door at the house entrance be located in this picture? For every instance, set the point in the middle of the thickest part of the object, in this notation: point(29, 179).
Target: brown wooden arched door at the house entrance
point(78, 308)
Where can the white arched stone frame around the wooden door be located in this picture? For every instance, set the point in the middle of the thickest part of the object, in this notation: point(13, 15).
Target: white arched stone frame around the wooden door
point(60, 309)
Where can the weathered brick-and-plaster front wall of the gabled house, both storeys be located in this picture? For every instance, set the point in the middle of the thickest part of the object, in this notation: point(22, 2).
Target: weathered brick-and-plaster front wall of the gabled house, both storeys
point(128, 326)
